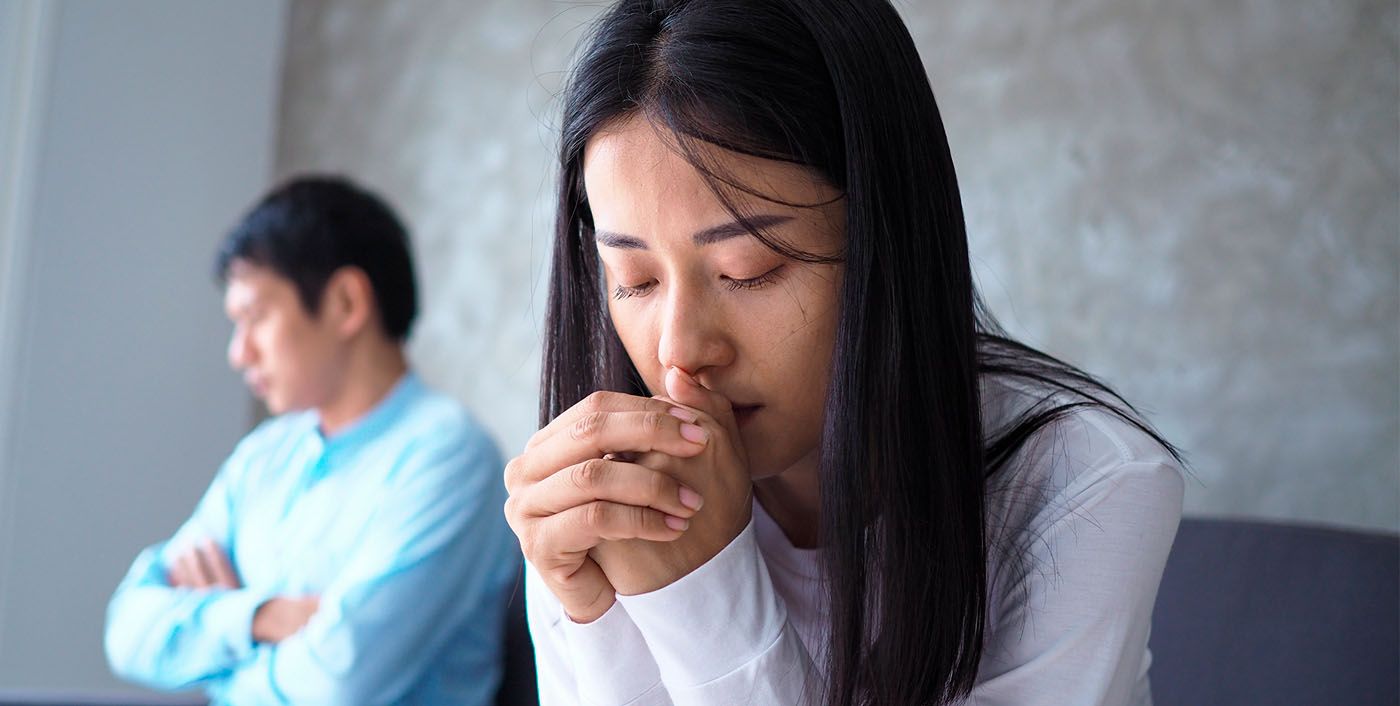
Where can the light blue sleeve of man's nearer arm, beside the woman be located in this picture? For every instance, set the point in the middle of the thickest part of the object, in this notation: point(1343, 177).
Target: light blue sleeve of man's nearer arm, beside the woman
point(437, 561)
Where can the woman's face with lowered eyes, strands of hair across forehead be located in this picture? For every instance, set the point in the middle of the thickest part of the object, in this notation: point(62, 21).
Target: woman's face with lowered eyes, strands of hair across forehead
point(692, 289)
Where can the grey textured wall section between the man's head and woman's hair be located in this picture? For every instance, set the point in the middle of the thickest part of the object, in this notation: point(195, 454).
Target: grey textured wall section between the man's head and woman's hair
point(440, 106)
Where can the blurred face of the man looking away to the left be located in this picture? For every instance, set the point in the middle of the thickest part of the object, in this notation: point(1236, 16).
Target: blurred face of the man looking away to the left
point(289, 358)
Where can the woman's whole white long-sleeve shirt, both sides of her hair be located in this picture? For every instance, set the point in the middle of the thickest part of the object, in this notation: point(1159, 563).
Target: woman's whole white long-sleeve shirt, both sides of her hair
point(1080, 527)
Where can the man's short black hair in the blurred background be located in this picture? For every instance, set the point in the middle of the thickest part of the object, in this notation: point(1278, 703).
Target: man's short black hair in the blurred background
point(313, 226)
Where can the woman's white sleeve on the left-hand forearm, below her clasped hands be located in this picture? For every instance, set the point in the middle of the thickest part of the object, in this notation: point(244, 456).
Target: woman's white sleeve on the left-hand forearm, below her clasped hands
point(604, 663)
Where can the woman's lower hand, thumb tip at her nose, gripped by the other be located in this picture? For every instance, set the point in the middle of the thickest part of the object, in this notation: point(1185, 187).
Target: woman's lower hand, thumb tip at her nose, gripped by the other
point(720, 474)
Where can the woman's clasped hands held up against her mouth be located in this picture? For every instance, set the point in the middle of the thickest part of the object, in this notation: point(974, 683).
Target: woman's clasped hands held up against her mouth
point(625, 495)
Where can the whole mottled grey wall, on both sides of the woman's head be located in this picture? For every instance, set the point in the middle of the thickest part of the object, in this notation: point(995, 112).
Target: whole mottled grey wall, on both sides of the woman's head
point(1198, 201)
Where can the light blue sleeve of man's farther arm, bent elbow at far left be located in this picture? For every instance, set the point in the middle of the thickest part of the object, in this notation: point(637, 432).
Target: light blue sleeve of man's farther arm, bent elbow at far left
point(177, 638)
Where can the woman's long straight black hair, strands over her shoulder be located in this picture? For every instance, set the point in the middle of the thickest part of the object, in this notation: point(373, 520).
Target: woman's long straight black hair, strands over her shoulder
point(835, 86)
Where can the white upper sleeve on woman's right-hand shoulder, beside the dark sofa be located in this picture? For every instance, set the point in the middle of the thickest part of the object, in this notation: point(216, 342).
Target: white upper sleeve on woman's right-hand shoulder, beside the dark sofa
point(1072, 621)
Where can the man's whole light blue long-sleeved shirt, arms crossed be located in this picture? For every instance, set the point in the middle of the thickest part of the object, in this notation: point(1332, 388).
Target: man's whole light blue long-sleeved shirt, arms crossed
point(395, 523)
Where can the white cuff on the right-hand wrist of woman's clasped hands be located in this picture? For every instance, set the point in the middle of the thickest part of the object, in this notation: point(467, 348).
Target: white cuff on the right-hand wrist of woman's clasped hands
point(715, 620)
